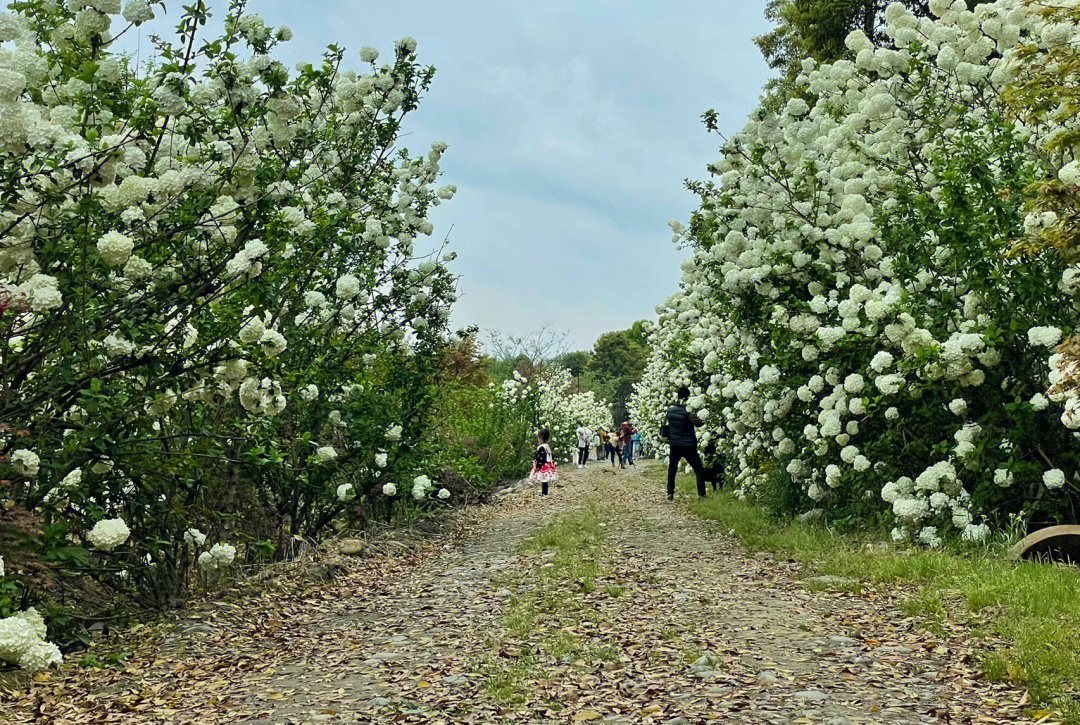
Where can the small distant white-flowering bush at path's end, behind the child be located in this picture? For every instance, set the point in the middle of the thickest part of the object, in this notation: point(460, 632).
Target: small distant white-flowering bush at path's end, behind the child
point(549, 401)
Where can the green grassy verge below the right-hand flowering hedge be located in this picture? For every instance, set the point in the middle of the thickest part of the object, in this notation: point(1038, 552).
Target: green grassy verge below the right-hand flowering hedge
point(1033, 609)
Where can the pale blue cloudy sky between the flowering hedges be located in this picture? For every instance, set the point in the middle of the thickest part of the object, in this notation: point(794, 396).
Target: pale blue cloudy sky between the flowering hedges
point(571, 127)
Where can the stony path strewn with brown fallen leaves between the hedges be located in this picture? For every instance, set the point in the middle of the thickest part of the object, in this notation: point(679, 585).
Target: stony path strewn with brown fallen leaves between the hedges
point(601, 603)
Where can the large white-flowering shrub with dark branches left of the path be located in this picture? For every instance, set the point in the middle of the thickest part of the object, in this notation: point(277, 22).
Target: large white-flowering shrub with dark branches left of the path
point(213, 311)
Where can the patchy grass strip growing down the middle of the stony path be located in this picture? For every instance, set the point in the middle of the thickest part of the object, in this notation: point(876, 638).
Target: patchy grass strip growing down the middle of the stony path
point(546, 605)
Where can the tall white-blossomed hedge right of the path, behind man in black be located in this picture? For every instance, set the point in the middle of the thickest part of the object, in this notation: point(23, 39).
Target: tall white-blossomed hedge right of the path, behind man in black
point(852, 326)
